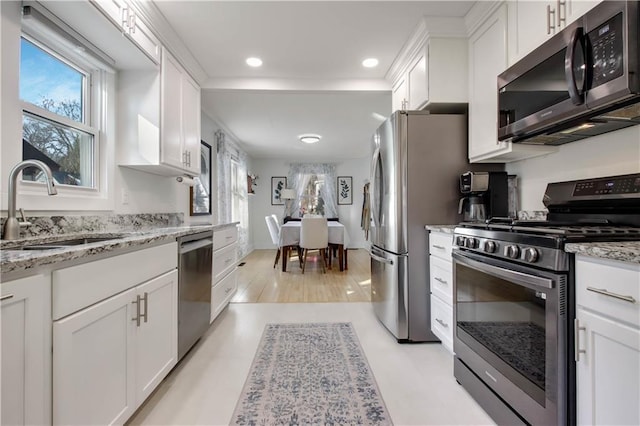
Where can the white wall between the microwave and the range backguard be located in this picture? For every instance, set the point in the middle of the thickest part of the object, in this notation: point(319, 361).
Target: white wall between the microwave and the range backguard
point(609, 154)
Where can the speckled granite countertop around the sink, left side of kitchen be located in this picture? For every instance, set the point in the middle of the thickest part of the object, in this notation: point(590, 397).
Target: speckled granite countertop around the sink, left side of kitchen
point(23, 260)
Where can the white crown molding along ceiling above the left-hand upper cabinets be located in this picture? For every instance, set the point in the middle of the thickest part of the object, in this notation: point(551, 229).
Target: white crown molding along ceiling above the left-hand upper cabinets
point(168, 37)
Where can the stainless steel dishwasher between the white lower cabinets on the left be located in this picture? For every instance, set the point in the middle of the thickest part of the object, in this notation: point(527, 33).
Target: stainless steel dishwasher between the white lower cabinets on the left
point(195, 257)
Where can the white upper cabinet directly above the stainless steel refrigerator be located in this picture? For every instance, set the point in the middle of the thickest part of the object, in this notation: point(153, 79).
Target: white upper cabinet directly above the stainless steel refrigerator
point(431, 69)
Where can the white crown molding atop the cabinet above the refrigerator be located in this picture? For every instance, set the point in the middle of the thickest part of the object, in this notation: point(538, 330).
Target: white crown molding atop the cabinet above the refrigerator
point(428, 27)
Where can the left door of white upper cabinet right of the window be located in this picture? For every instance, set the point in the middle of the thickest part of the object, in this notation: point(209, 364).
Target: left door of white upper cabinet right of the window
point(171, 151)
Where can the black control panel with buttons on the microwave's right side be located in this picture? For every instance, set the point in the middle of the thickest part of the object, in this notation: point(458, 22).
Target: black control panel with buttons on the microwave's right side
point(607, 47)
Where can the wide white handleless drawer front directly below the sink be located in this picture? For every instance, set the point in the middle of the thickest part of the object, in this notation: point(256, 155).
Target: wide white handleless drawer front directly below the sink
point(79, 286)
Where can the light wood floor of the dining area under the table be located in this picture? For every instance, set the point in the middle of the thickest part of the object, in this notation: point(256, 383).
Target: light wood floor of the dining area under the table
point(260, 282)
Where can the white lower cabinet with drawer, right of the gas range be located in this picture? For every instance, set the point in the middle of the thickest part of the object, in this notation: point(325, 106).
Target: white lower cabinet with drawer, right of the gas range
point(608, 341)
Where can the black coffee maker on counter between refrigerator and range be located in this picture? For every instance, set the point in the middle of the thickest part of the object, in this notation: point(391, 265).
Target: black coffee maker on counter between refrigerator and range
point(486, 195)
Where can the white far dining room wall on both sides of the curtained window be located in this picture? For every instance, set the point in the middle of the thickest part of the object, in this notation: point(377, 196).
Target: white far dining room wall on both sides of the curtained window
point(260, 203)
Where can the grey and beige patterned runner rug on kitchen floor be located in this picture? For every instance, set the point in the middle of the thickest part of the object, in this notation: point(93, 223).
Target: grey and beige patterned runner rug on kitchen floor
point(306, 374)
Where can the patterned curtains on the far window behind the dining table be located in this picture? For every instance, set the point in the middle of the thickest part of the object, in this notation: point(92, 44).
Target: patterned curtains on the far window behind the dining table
point(299, 178)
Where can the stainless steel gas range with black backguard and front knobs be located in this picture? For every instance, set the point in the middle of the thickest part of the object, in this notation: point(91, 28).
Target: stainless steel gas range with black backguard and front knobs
point(514, 298)
